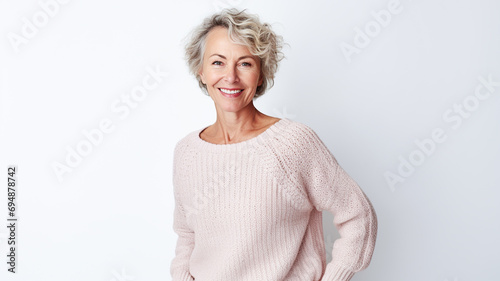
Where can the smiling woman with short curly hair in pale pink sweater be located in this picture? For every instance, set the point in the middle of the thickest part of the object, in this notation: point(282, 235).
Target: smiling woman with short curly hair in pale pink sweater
point(249, 189)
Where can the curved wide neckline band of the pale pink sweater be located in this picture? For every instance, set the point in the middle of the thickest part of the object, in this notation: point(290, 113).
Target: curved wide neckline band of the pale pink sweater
point(242, 145)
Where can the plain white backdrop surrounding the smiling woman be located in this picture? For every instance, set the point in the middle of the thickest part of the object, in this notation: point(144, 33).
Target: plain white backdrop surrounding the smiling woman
point(110, 218)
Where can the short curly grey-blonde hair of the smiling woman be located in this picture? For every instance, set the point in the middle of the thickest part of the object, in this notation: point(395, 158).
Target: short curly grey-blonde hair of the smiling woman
point(245, 29)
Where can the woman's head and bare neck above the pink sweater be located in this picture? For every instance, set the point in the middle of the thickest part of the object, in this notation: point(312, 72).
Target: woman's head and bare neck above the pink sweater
point(234, 57)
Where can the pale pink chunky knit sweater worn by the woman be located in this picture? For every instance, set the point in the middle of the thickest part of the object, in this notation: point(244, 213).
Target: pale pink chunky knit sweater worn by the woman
point(252, 210)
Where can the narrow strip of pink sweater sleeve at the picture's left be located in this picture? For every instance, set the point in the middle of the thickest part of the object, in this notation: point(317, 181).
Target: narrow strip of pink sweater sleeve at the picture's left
point(179, 267)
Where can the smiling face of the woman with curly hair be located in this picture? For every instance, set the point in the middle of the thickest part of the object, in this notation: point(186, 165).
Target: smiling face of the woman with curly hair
point(230, 72)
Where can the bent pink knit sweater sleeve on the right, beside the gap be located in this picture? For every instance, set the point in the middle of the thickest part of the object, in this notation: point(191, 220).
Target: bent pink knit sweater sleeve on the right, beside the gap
point(330, 188)
